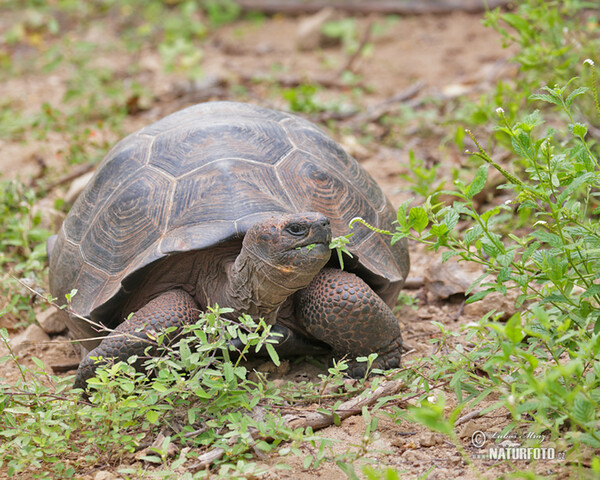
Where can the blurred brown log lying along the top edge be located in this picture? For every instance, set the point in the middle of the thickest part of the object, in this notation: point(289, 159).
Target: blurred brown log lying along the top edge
point(385, 7)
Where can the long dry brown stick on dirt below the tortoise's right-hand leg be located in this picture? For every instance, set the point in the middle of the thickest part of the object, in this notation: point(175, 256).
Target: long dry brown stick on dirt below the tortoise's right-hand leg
point(315, 420)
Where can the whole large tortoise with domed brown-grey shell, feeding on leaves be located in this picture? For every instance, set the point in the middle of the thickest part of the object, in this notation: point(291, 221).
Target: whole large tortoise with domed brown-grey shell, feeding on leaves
point(231, 204)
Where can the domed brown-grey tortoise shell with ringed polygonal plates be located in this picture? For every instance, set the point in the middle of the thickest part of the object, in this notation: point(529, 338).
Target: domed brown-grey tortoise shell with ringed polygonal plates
point(202, 176)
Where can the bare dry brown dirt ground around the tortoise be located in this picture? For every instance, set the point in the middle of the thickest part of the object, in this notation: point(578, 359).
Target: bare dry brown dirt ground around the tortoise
point(441, 56)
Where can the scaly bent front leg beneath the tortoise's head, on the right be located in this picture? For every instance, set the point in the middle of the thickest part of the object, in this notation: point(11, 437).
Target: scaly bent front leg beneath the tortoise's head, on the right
point(340, 309)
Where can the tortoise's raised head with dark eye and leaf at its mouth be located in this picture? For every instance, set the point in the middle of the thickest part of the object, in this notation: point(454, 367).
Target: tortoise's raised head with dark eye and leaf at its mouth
point(292, 245)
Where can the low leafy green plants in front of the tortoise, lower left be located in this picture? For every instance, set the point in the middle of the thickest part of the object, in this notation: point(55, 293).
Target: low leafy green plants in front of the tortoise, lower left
point(203, 401)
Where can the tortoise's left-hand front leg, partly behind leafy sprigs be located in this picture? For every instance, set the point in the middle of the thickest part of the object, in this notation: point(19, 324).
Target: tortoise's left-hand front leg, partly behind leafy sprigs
point(135, 335)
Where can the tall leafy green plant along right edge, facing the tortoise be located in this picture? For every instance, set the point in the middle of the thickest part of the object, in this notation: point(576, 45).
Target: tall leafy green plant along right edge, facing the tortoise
point(544, 358)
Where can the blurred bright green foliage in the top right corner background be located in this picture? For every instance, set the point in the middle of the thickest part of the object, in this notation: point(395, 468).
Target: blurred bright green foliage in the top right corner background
point(552, 39)
